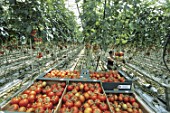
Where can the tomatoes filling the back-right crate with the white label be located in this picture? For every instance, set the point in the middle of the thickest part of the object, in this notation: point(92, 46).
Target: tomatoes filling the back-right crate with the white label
point(111, 76)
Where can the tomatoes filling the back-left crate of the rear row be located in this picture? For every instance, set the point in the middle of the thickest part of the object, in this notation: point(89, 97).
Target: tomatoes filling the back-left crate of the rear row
point(63, 74)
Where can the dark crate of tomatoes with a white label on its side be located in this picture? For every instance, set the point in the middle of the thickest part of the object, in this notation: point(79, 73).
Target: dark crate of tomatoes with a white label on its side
point(112, 80)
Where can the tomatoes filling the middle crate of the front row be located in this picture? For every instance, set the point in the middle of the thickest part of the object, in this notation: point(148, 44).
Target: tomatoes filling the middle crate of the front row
point(84, 98)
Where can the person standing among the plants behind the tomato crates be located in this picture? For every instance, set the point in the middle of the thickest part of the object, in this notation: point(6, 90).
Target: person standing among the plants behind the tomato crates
point(110, 61)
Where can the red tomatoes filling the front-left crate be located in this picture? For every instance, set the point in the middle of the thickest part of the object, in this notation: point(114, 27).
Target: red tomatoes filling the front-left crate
point(39, 98)
